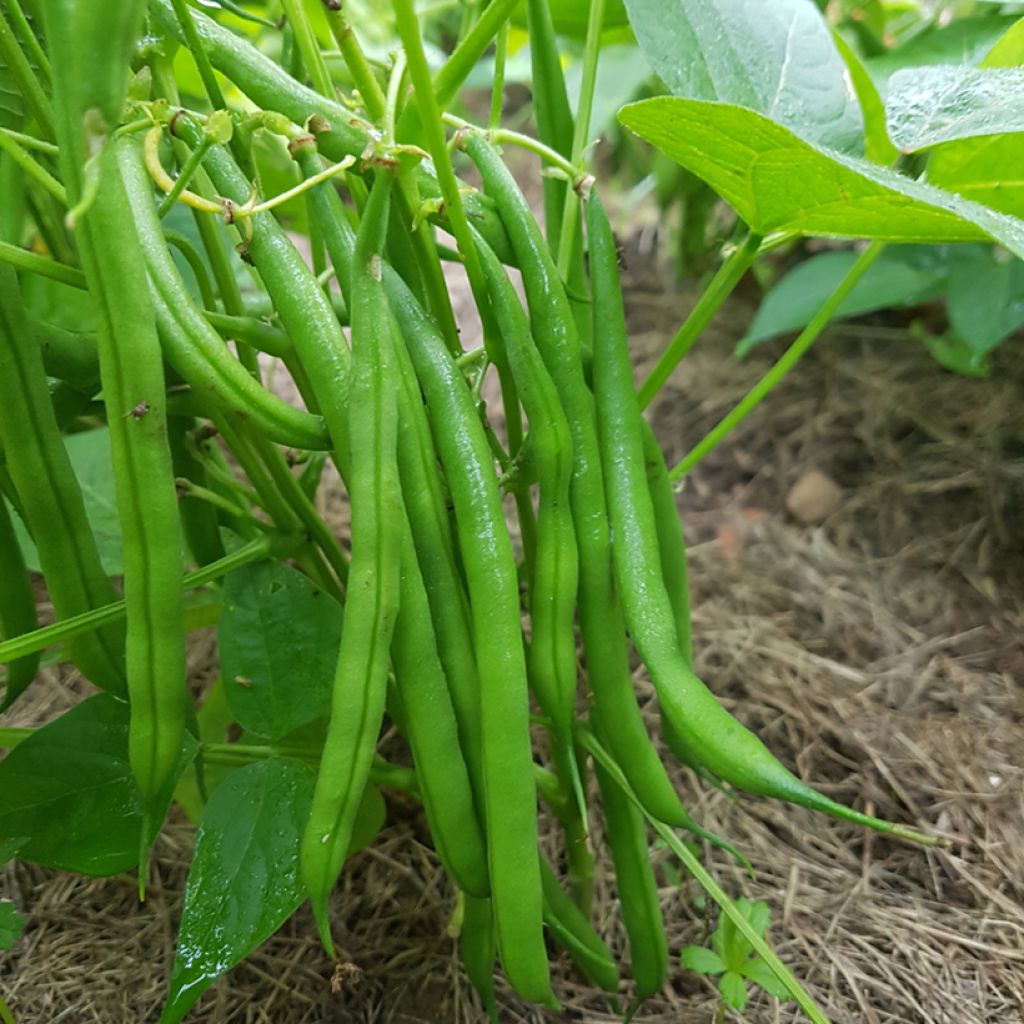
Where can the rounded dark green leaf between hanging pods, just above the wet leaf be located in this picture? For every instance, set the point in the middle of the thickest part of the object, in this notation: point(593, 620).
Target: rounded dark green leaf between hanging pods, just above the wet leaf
point(279, 637)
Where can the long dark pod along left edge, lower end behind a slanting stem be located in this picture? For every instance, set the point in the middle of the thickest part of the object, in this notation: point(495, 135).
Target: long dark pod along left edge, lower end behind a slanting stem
point(50, 494)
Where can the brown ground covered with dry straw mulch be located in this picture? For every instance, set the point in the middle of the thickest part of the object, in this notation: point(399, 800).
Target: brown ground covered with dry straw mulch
point(880, 653)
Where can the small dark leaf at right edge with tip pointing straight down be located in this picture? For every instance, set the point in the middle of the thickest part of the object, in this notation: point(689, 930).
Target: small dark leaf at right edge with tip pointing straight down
point(987, 304)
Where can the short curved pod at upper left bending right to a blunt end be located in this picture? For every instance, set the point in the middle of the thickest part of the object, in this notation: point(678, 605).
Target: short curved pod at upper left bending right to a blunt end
point(194, 349)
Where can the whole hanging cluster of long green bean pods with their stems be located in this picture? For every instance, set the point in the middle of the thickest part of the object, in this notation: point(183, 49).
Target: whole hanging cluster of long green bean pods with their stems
point(458, 613)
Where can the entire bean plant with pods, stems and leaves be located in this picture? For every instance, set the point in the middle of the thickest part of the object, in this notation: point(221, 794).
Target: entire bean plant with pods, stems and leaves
point(510, 549)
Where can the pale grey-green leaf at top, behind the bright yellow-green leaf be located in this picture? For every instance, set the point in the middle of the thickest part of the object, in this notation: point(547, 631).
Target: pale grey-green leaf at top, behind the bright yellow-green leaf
point(777, 59)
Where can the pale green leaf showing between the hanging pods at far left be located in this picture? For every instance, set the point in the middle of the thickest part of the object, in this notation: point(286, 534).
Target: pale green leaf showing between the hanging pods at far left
point(91, 458)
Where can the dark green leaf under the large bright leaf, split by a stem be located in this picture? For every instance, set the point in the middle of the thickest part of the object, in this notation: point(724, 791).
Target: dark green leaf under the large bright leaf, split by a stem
point(903, 276)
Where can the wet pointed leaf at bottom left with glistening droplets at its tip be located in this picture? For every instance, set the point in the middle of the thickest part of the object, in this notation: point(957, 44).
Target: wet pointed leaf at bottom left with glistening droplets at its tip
point(244, 881)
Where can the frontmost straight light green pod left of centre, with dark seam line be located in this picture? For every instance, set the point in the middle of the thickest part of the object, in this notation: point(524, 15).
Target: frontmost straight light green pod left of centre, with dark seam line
point(361, 679)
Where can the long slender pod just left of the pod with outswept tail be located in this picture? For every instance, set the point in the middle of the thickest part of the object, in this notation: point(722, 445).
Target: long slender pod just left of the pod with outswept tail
point(616, 714)
